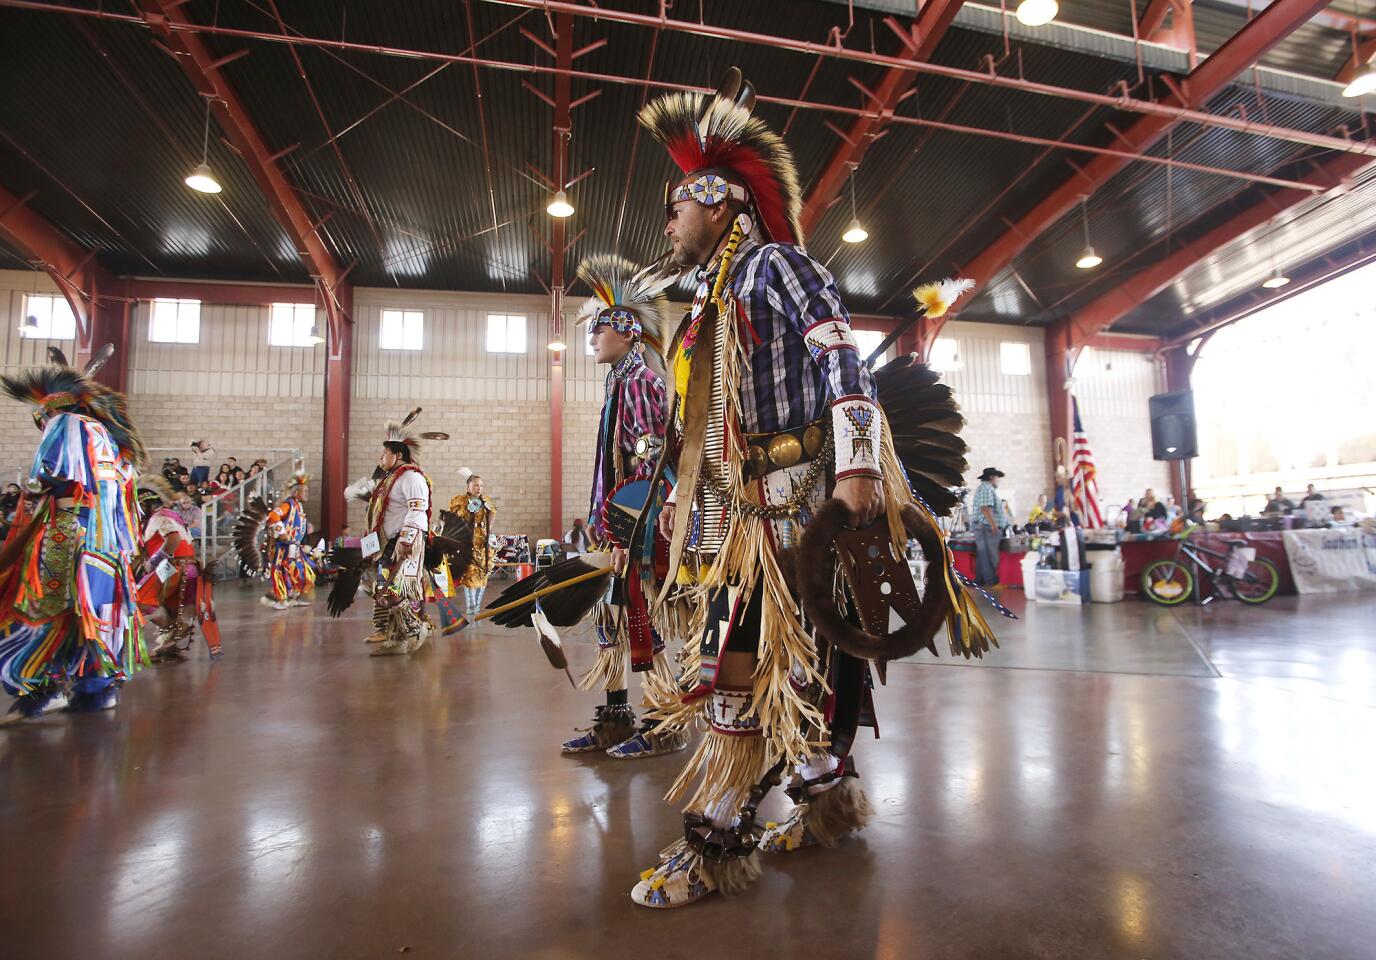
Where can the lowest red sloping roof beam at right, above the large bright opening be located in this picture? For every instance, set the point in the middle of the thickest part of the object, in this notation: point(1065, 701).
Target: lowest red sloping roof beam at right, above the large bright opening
point(1128, 295)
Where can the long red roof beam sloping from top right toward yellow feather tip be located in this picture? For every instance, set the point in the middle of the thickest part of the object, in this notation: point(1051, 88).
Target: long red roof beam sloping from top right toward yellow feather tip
point(1195, 90)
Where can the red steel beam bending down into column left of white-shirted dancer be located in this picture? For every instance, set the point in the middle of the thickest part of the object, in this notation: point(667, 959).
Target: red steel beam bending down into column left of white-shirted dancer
point(177, 31)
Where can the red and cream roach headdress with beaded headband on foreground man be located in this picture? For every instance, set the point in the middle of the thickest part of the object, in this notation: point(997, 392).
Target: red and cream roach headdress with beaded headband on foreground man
point(718, 134)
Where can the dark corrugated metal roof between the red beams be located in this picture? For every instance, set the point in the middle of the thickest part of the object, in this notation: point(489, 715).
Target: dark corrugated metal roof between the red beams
point(114, 131)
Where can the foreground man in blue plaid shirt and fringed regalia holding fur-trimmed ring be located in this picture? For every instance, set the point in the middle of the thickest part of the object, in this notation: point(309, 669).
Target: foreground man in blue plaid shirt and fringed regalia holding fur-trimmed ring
point(775, 413)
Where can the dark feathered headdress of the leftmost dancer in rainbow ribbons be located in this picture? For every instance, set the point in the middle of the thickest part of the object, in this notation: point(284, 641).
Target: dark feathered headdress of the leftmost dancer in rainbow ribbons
point(63, 389)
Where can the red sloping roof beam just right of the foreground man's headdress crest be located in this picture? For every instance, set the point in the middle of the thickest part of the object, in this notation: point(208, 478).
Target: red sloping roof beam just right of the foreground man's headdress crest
point(927, 32)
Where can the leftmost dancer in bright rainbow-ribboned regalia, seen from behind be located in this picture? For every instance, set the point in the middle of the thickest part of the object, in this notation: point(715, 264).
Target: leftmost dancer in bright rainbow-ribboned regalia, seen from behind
point(69, 620)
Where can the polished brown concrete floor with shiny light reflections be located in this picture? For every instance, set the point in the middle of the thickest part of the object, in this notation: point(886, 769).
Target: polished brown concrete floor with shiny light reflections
point(1118, 782)
